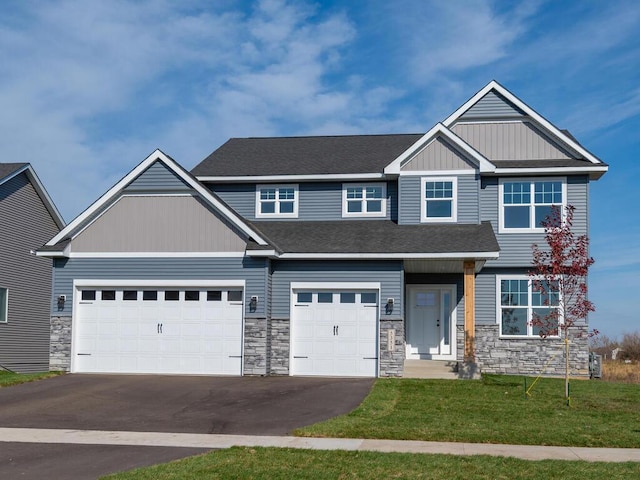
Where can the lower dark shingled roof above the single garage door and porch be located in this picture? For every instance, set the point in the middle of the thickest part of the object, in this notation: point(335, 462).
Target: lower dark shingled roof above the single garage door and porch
point(378, 237)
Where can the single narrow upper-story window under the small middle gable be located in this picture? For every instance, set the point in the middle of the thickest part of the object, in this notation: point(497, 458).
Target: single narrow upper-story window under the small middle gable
point(439, 199)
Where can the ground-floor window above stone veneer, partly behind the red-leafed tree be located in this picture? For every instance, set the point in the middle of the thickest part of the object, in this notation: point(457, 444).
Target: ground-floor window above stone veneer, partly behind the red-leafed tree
point(520, 302)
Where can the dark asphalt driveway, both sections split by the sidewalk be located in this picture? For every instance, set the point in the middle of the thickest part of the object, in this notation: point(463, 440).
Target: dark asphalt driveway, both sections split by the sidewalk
point(179, 404)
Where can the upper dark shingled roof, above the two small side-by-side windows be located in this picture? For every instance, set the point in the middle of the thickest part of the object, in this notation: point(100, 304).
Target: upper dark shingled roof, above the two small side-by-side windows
point(351, 154)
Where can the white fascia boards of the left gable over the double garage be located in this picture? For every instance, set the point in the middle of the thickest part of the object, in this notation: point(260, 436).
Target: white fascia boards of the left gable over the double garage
point(118, 187)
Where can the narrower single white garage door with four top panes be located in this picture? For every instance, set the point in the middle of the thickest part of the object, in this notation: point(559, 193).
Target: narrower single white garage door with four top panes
point(334, 333)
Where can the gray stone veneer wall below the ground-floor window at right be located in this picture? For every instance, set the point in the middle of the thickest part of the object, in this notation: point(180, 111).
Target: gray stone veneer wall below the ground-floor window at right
point(530, 356)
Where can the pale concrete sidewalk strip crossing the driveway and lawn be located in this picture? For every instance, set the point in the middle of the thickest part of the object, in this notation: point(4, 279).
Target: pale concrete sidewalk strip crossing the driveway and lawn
point(212, 441)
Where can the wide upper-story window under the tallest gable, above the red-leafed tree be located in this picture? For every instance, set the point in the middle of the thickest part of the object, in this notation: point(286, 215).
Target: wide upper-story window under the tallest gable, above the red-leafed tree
point(525, 204)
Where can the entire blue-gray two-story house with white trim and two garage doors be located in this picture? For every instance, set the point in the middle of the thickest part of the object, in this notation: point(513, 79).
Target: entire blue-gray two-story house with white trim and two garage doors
point(342, 255)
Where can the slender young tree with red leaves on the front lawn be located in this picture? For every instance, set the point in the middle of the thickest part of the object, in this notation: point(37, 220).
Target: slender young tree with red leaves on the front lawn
point(559, 276)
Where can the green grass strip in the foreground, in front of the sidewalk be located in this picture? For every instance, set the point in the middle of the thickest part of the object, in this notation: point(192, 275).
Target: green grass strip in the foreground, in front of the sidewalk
point(276, 463)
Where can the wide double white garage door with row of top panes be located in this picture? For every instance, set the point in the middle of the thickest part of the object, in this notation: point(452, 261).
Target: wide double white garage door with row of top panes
point(158, 330)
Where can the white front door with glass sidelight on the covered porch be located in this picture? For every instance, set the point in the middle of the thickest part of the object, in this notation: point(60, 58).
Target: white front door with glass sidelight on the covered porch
point(431, 322)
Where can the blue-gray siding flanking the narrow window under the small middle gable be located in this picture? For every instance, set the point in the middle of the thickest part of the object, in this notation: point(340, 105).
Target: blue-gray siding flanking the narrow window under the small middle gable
point(411, 198)
